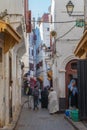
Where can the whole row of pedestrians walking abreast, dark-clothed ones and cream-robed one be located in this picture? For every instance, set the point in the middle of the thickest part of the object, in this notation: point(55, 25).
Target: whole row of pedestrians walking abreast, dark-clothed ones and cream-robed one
point(46, 97)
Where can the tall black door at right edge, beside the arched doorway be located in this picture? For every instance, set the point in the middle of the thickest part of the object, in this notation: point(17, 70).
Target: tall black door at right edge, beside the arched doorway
point(82, 87)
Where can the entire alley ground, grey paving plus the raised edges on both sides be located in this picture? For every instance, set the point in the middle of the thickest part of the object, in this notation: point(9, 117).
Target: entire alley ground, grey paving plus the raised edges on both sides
point(42, 120)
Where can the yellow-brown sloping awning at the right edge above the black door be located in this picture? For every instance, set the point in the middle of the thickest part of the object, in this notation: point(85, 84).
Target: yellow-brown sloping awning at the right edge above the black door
point(82, 46)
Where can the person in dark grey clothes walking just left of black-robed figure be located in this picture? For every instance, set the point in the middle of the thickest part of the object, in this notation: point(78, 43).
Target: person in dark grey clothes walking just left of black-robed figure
point(35, 97)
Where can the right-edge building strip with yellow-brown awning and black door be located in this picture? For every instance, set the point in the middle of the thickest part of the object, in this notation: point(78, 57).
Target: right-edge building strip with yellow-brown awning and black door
point(81, 53)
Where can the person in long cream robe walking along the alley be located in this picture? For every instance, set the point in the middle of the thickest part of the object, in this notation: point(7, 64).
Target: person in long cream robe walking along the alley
point(53, 101)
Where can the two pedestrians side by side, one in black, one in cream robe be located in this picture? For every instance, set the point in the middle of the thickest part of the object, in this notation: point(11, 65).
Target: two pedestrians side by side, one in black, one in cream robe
point(49, 100)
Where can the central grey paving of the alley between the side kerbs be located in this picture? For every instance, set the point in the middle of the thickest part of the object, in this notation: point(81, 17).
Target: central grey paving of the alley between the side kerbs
point(41, 120)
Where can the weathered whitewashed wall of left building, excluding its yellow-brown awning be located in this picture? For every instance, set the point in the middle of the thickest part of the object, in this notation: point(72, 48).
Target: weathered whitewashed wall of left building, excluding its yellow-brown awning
point(15, 11)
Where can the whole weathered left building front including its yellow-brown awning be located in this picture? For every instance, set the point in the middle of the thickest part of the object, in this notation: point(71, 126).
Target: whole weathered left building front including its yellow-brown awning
point(12, 48)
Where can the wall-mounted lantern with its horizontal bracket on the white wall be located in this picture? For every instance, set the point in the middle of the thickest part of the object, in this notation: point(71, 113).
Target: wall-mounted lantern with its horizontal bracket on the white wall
point(70, 7)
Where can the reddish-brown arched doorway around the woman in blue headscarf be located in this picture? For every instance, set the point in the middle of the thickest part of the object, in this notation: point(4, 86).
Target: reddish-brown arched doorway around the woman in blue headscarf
point(71, 73)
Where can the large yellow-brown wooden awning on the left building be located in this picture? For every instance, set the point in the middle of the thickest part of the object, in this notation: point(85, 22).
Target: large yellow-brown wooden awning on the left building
point(11, 37)
